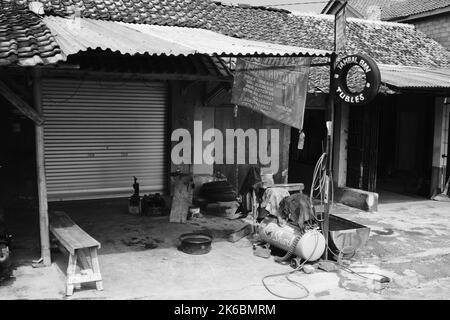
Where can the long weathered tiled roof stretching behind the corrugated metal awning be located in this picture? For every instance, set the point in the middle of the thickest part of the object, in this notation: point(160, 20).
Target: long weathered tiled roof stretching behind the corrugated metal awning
point(388, 43)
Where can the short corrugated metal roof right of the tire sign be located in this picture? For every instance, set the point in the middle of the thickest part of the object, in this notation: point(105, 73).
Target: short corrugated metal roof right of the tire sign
point(415, 77)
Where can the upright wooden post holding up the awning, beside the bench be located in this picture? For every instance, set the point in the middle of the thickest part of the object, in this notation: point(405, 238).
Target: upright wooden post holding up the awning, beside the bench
point(42, 185)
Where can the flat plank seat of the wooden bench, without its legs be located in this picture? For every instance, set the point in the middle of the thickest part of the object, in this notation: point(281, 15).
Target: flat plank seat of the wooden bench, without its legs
point(71, 236)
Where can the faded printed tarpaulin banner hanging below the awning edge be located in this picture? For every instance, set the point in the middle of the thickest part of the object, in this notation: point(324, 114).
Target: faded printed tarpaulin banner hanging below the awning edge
point(275, 87)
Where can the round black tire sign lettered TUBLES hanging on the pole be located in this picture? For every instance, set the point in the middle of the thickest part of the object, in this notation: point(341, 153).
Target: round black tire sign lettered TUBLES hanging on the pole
point(372, 83)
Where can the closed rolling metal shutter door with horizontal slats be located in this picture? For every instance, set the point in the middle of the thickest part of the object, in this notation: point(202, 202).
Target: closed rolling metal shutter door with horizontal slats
point(99, 134)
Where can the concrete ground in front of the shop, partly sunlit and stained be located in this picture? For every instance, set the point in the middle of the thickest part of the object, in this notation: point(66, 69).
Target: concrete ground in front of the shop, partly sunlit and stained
point(409, 242)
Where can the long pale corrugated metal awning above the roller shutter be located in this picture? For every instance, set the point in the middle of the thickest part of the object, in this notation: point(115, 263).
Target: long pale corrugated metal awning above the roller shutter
point(81, 34)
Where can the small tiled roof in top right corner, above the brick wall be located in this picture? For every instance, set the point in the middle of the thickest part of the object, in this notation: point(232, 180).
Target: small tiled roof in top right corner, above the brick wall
point(412, 7)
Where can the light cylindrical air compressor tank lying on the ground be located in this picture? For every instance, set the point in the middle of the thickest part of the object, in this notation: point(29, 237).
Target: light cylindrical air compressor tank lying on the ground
point(310, 247)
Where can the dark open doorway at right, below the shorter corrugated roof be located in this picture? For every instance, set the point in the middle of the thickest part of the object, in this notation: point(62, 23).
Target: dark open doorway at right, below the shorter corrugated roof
point(405, 142)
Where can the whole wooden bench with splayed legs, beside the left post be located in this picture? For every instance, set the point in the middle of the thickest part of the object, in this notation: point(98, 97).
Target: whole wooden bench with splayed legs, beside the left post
point(81, 247)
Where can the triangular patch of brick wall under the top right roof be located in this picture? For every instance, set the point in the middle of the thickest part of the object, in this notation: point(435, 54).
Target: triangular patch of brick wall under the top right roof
point(436, 27)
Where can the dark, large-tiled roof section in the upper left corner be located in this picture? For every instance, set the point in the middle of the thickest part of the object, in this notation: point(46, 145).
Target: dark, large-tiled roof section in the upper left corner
point(25, 40)
